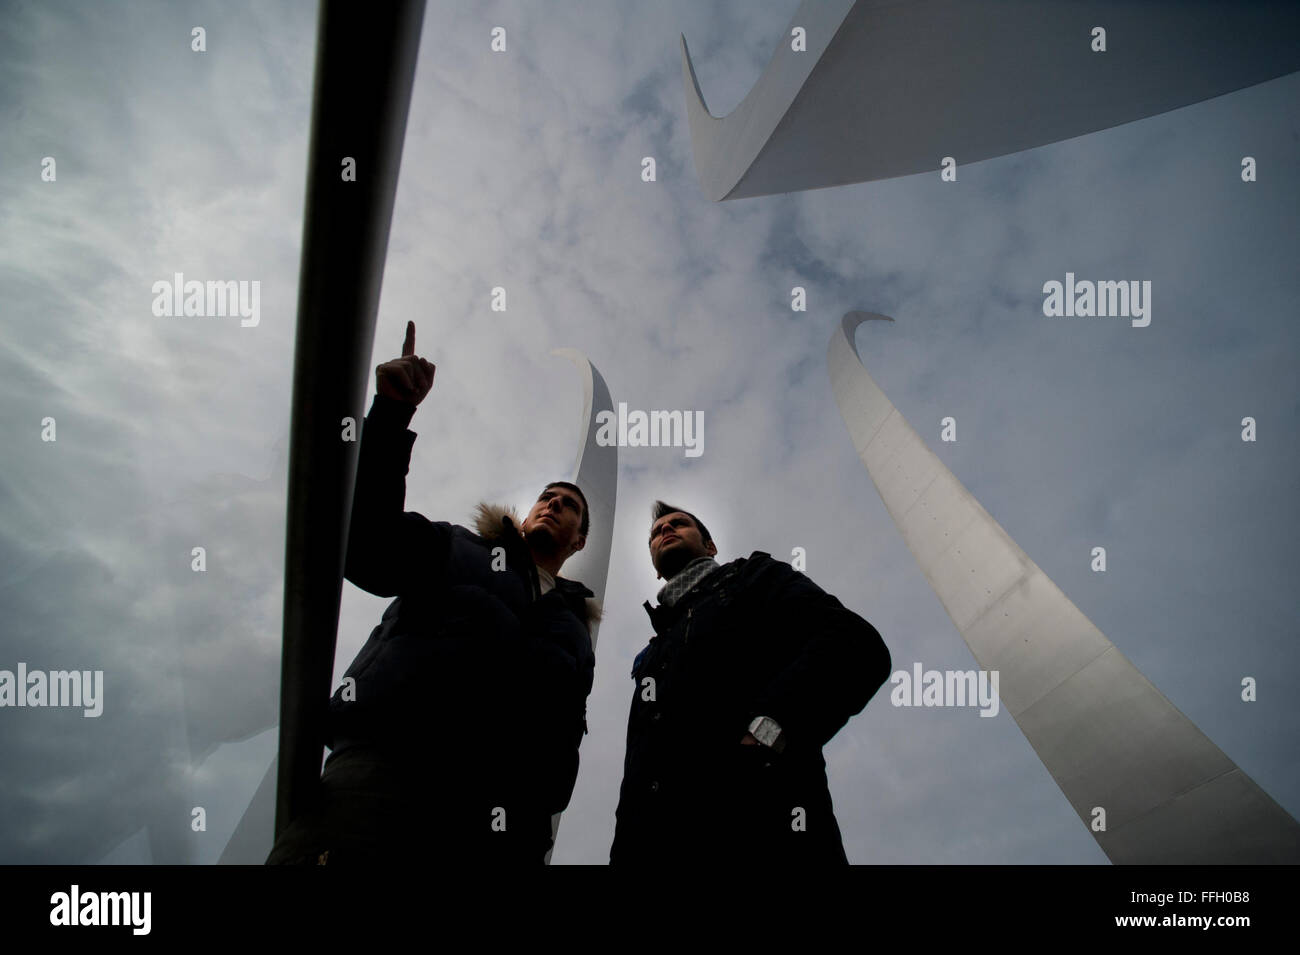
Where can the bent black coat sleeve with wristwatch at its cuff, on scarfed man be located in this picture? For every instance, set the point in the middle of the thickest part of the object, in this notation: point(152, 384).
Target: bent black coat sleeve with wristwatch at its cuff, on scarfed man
point(839, 663)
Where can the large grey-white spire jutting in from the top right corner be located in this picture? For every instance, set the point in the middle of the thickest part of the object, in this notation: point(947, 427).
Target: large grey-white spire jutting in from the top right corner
point(890, 89)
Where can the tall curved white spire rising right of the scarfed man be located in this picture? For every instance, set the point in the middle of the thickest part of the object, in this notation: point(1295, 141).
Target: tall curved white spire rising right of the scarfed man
point(1106, 733)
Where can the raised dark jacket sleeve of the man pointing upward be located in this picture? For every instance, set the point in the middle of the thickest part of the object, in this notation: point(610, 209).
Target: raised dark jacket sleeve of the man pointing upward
point(391, 552)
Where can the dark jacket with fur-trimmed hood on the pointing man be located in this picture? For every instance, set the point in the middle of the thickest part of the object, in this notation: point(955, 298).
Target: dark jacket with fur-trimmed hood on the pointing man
point(471, 681)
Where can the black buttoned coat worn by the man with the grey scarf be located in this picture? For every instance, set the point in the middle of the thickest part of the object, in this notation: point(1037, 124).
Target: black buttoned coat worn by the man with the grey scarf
point(755, 639)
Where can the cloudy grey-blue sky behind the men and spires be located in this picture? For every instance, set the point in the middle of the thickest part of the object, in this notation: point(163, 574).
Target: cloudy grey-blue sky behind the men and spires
point(523, 171)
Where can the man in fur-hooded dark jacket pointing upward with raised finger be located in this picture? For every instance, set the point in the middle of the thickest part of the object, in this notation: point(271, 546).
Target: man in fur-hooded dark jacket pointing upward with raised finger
point(456, 733)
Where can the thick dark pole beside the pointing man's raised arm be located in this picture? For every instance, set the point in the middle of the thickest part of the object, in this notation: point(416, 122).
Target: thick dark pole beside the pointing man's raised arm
point(366, 59)
